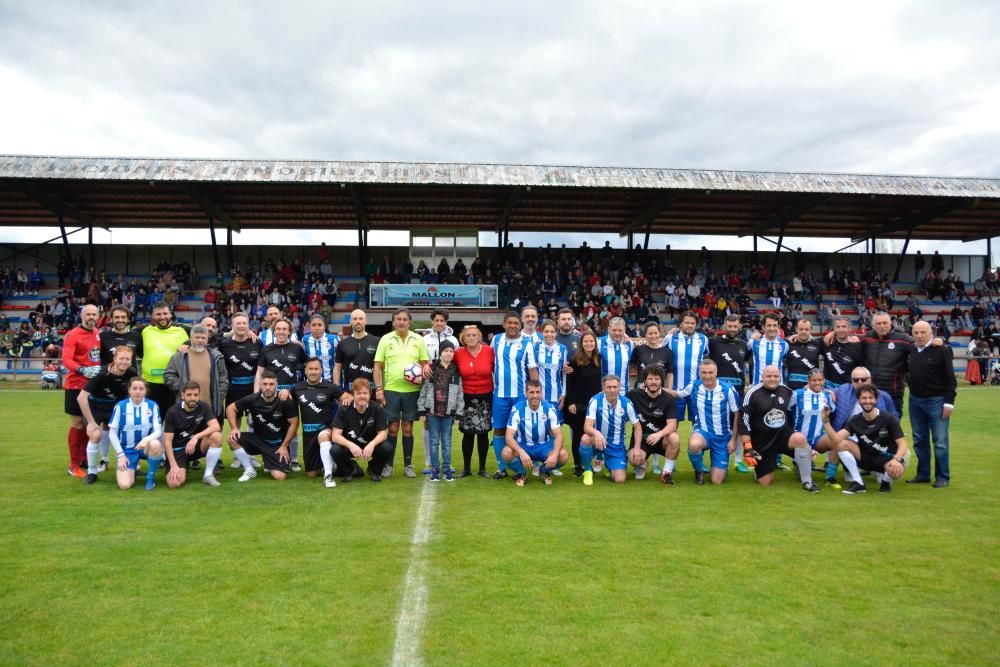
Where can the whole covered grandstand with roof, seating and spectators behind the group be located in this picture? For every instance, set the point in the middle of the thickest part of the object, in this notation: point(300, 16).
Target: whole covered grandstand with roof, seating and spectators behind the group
point(445, 208)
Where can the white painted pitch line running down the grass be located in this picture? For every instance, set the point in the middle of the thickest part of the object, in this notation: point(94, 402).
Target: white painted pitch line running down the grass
point(413, 608)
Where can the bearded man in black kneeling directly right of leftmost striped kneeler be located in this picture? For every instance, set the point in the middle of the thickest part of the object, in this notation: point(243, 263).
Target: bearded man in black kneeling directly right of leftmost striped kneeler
point(191, 432)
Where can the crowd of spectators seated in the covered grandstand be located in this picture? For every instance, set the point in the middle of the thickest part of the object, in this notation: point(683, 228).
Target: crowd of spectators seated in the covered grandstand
point(597, 284)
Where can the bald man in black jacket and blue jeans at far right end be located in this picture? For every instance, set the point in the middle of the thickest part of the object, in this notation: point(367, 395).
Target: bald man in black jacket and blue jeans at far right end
point(932, 398)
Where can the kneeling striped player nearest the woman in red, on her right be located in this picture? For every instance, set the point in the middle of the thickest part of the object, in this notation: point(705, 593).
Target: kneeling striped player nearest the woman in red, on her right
point(533, 435)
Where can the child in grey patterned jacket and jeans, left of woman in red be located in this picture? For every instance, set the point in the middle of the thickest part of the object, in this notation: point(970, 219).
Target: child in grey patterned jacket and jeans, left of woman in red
point(440, 401)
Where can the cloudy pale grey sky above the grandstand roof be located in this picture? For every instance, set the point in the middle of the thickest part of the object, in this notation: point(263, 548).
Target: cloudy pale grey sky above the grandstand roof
point(877, 87)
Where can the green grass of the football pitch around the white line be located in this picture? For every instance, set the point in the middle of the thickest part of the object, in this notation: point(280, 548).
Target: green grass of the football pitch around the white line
point(291, 573)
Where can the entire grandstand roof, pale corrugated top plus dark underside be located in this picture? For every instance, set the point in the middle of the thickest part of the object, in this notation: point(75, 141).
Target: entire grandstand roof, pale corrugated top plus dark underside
point(124, 192)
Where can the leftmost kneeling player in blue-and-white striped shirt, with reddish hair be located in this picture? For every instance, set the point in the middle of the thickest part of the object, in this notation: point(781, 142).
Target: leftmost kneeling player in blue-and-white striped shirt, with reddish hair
point(135, 434)
